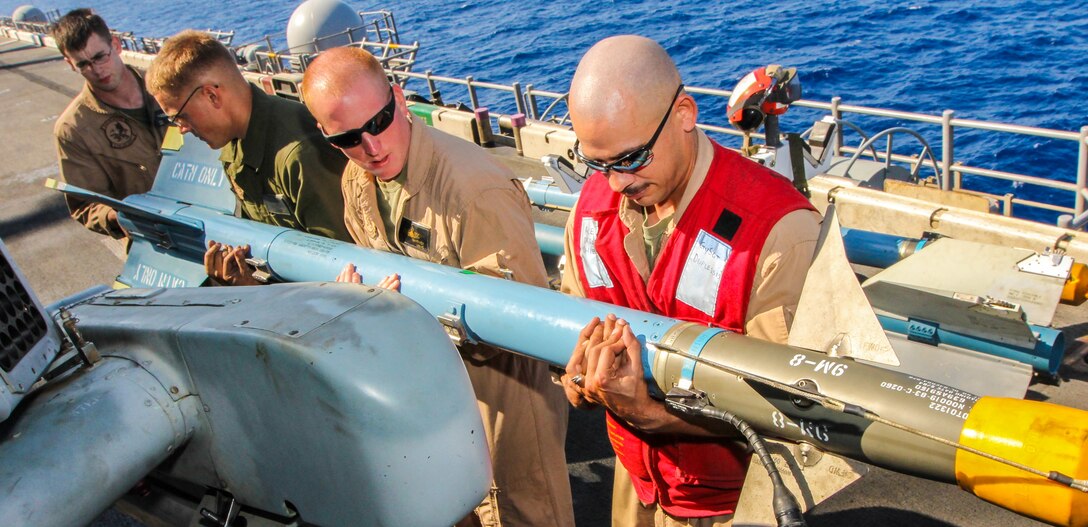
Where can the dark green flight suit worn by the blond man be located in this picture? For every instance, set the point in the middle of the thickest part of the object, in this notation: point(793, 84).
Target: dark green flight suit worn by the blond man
point(283, 171)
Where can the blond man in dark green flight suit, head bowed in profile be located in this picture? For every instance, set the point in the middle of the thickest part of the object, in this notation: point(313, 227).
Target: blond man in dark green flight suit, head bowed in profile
point(281, 169)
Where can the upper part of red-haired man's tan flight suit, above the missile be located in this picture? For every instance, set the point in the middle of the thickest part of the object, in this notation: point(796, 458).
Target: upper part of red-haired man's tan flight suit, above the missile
point(459, 209)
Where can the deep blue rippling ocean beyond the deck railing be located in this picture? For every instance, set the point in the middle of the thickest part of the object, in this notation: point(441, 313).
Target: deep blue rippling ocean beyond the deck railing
point(1015, 62)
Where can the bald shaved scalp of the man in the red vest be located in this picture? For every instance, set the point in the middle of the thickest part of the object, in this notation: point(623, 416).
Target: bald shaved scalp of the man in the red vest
point(626, 76)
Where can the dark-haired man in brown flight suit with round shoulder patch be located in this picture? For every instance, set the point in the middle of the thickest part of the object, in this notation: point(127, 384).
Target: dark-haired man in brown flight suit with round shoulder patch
point(108, 140)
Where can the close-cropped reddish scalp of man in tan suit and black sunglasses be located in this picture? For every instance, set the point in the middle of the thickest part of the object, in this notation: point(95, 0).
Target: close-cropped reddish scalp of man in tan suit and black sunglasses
point(336, 72)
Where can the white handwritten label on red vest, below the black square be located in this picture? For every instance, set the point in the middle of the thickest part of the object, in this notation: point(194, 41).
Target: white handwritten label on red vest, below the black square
point(701, 278)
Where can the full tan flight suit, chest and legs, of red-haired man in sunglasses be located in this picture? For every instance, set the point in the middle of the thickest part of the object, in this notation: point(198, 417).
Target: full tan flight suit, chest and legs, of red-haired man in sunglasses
point(462, 210)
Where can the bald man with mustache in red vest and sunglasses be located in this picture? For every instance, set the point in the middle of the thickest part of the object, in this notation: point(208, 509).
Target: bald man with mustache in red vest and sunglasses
point(672, 224)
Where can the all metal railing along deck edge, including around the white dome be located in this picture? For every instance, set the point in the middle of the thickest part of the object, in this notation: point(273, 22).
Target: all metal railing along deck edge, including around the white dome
point(379, 35)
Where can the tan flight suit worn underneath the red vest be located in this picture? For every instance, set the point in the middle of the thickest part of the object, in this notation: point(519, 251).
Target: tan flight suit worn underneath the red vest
point(776, 290)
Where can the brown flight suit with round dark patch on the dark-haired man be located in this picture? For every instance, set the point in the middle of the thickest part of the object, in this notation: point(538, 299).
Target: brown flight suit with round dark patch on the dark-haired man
point(103, 150)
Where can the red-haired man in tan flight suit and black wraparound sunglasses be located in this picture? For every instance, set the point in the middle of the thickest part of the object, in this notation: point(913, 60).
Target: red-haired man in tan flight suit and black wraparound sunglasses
point(418, 192)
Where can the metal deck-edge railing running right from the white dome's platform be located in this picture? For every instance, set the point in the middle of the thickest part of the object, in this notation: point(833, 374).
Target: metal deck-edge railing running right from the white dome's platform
point(529, 102)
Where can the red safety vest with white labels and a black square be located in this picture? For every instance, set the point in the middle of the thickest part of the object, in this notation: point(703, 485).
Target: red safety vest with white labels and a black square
point(730, 218)
